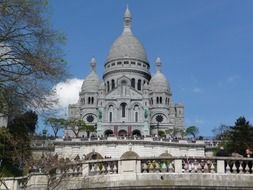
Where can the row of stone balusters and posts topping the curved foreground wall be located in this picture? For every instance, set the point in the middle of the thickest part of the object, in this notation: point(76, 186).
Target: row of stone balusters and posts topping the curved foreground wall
point(219, 165)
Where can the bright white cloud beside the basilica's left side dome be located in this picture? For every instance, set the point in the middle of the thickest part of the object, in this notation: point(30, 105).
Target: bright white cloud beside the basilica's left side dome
point(67, 92)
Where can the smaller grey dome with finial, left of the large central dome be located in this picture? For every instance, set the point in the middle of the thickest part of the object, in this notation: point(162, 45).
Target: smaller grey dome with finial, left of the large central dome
point(91, 82)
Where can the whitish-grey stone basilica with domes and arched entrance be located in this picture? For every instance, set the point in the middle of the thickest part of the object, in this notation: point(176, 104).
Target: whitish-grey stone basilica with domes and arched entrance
point(128, 101)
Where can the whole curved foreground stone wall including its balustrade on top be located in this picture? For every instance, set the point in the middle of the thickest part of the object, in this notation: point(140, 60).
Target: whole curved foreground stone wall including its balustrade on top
point(229, 172)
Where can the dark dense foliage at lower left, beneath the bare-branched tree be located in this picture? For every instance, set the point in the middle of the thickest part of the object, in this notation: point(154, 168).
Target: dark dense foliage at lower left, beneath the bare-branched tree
point(15, 150)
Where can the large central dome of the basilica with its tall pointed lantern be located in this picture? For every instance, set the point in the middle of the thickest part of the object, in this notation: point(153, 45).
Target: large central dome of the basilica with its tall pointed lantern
point(127, 45)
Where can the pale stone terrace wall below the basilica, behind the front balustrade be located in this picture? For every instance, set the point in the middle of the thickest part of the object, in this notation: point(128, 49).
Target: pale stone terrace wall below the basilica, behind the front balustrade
point(116, 148)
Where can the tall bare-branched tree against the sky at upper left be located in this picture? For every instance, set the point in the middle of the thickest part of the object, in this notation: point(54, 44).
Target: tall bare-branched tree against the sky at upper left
point(30, 55)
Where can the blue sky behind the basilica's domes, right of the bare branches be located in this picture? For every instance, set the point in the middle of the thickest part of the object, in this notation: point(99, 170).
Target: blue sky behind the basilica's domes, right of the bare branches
point(206, 48)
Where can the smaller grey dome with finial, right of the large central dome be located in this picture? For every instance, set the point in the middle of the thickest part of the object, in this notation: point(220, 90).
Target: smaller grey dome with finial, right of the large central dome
point(158, 82)
